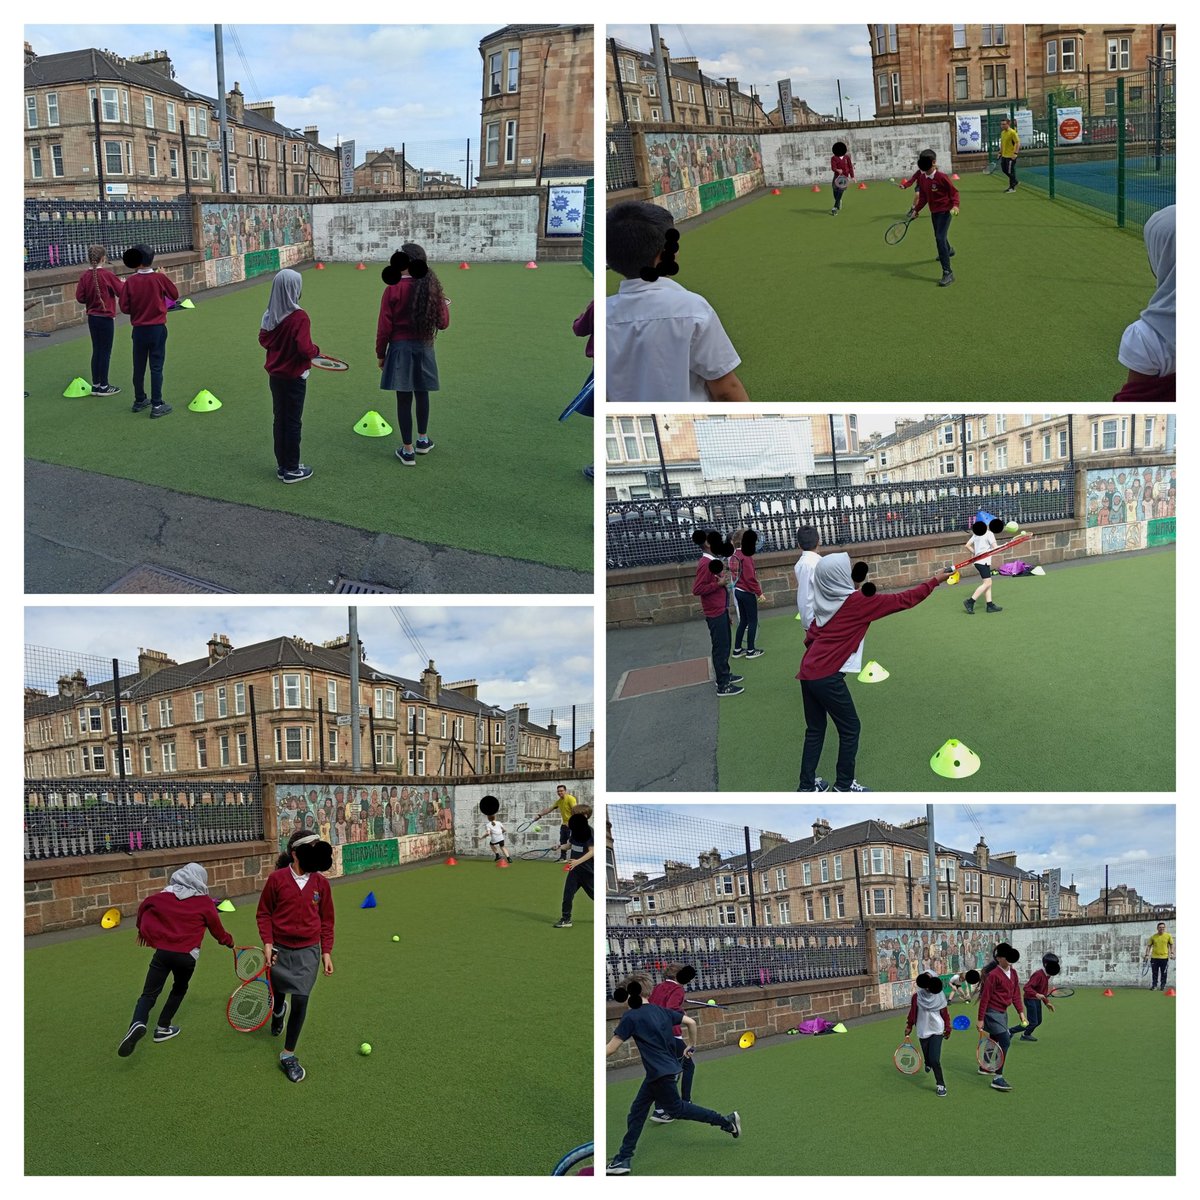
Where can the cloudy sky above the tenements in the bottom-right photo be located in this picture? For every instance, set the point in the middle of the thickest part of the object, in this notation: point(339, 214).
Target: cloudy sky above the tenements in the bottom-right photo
point(1133, 839)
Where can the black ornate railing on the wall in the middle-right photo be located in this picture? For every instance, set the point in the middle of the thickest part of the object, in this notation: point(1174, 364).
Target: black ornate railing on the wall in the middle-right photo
point(646, 532)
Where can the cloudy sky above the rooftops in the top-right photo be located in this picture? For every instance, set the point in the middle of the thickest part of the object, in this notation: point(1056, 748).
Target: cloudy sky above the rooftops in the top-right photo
point(813, 57)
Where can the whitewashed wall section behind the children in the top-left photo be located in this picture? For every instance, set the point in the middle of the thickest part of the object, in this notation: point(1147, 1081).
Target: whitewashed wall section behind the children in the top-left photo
point(500, 227)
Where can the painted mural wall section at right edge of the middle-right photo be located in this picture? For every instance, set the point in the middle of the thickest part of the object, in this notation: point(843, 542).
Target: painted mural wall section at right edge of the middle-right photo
point(1130, 508)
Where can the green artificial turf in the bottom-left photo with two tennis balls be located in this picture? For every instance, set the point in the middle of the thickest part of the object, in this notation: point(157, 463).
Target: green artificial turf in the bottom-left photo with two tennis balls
point(479, 1019)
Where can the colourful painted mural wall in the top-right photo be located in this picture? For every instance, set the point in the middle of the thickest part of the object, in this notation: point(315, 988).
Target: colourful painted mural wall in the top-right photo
point(692, 173)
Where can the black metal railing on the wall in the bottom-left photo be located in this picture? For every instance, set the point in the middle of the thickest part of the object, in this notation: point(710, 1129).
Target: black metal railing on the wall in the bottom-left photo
point(67, 818)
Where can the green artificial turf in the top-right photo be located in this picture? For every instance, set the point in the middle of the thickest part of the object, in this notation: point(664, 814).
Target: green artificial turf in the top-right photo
point(821, 309)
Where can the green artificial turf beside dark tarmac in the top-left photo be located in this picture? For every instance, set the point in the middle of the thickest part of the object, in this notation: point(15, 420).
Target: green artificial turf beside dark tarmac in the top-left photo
point(505, 477)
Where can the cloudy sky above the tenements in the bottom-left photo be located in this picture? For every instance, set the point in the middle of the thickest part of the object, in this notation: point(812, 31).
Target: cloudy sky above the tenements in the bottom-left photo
point(537, 656)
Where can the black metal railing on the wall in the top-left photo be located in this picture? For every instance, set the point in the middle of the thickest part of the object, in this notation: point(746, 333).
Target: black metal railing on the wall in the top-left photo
point(58, 233)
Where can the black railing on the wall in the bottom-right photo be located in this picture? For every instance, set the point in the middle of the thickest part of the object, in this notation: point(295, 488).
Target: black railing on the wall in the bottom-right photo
point(735, 957)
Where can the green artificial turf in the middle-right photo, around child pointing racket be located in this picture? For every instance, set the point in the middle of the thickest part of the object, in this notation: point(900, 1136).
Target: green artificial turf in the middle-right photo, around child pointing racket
point(1071, 688)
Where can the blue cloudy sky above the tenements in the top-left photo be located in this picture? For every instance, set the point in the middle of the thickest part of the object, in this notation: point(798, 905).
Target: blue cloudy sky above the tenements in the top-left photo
point(380, 86)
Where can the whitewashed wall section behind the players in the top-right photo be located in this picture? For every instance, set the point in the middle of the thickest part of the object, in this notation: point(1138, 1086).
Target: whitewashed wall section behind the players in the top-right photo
point(801, 158)
